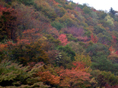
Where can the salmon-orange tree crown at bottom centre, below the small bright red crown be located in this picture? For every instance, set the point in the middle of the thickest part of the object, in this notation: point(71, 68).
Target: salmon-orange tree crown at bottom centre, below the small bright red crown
point(73, 77)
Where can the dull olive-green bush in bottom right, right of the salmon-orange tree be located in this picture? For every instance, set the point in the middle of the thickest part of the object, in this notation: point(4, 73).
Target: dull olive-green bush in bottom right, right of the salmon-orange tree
point(103, 77)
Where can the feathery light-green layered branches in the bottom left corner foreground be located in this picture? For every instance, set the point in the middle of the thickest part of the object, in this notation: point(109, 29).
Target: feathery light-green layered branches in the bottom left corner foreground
point(13, 74)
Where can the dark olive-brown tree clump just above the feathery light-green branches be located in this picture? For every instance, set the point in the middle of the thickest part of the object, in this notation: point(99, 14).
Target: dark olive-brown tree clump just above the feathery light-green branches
point(28, 53)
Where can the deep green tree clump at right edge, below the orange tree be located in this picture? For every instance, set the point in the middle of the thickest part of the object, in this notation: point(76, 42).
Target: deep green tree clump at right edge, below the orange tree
point(103, 64)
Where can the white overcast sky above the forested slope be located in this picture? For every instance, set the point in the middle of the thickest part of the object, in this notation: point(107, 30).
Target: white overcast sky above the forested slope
point(100, 4)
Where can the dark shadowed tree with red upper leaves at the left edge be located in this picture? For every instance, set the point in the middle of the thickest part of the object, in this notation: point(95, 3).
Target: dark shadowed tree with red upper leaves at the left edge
point(8, 20)
